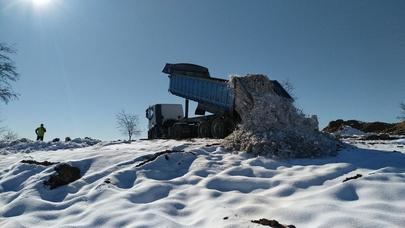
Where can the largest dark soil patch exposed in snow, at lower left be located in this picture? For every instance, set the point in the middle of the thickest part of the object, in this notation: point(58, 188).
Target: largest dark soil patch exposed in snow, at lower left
point(65, 174)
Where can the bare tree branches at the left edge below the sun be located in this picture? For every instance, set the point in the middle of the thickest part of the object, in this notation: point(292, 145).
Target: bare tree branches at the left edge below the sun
point(8, 73)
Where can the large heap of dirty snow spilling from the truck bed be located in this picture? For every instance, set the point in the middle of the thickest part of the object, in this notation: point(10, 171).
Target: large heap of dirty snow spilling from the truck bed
point(272, 126)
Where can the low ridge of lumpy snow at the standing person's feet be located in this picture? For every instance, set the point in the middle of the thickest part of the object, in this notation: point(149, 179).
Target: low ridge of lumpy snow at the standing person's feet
point(26, 146)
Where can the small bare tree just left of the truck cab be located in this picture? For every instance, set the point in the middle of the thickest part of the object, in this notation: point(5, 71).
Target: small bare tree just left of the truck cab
point(128, 124)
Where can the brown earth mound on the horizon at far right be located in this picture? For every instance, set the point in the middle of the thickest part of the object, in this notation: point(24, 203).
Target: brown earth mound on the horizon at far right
point(368, 127)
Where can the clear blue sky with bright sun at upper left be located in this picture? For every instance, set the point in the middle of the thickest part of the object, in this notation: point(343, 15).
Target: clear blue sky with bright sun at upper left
point(83, 61)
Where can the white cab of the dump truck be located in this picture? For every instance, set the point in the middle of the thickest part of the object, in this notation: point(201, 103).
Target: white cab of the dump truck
point(162, 116)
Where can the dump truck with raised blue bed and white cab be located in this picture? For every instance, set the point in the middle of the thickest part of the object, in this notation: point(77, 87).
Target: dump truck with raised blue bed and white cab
point(213, 95)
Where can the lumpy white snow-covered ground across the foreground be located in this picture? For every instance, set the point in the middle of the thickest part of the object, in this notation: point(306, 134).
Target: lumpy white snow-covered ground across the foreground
point(204, 186)
